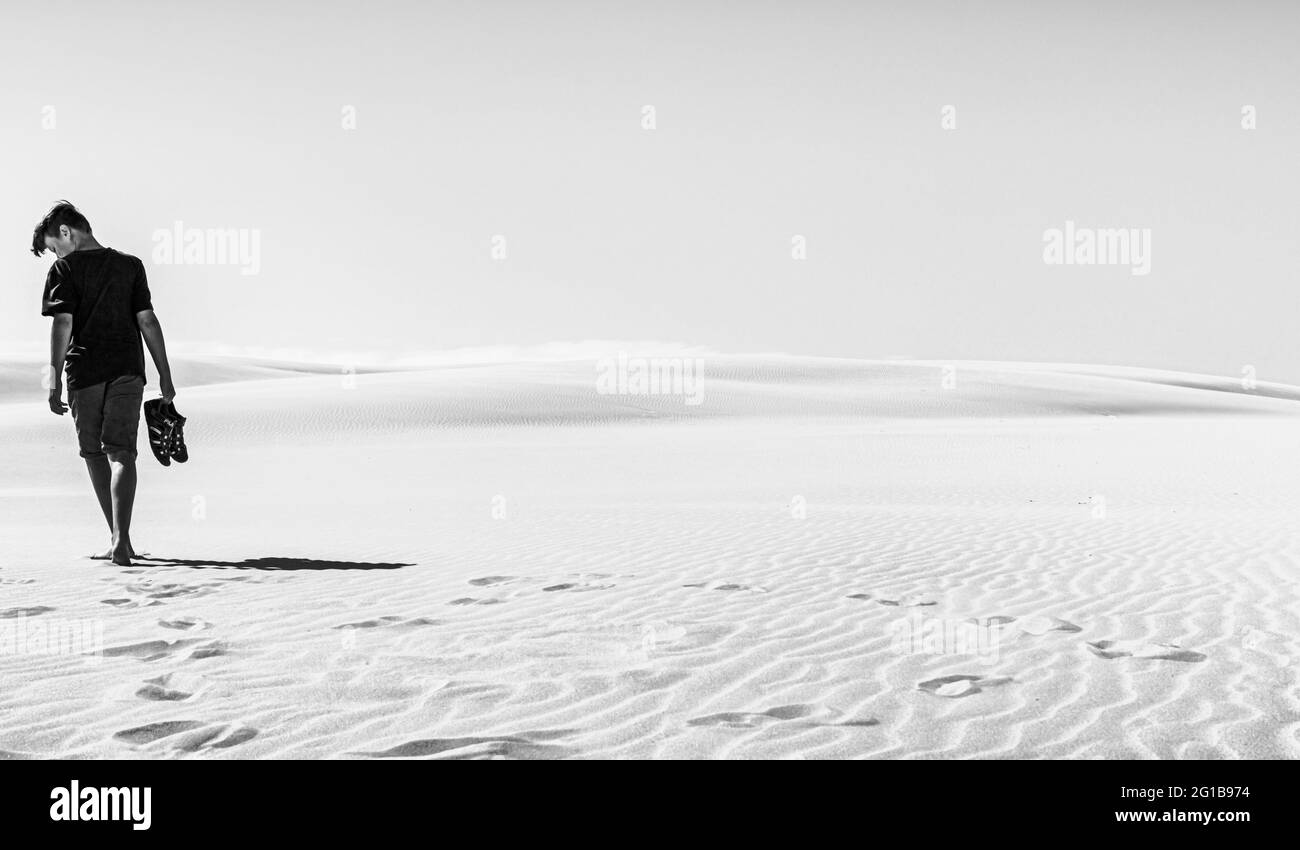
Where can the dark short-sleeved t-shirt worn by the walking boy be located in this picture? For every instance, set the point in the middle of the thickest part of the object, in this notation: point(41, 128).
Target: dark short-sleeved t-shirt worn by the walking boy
point(103, 290)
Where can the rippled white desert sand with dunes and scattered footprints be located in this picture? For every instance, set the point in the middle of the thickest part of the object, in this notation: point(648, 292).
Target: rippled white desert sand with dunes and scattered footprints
point(605, 576)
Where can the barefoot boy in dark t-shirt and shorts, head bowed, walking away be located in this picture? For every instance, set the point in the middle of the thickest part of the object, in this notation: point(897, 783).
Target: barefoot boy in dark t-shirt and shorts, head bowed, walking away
point(101, 306)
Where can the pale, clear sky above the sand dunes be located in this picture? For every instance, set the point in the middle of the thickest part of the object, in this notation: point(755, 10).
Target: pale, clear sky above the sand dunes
point(439, 176)
